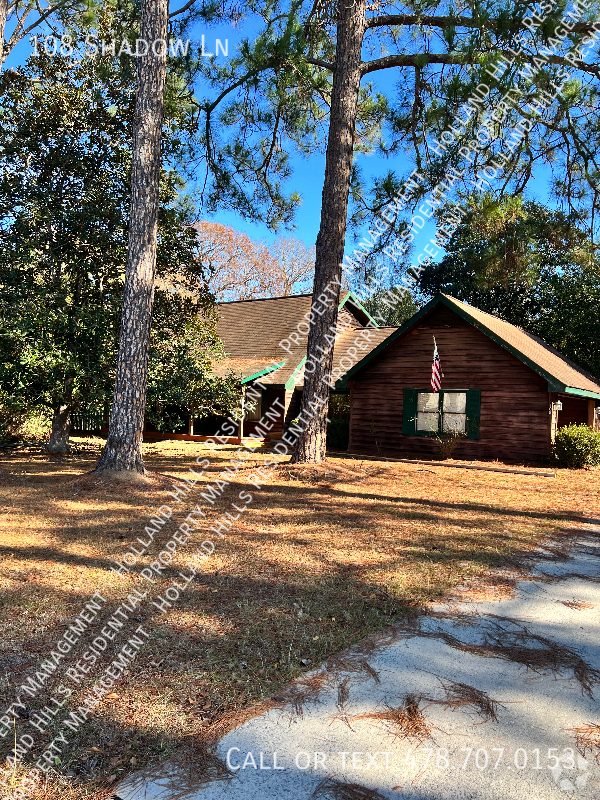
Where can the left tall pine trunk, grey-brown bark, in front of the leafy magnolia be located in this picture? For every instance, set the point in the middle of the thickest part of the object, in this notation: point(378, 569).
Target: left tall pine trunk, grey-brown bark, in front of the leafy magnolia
point(123, 450)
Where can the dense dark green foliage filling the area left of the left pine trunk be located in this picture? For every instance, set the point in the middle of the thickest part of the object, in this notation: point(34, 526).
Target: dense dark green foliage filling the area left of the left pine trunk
point(63, 204)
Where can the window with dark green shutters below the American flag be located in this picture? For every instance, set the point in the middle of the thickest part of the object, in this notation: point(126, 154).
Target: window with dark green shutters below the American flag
point(426, 413)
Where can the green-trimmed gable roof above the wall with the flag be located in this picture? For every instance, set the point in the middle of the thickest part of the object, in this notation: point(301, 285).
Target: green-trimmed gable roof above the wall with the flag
point(561, 373)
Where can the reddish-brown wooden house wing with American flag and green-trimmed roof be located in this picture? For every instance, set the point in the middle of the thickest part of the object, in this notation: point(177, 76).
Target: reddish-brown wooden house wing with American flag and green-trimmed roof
point(503, 389)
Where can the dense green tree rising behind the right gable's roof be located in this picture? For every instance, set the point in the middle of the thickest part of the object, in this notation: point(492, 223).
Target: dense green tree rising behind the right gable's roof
point(531, 265)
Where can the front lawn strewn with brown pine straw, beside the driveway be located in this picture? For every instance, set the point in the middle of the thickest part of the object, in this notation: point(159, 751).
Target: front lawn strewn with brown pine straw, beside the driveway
point(322, 558)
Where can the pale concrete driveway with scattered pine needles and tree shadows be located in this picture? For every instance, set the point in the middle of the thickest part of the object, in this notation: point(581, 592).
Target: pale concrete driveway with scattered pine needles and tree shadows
point(476, 699)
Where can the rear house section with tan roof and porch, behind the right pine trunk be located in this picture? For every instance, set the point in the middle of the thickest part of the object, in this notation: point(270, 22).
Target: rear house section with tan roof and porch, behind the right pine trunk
point(266, 345)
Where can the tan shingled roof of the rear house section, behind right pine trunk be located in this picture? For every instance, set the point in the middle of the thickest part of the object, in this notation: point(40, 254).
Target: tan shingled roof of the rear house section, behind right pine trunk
point(251, 331)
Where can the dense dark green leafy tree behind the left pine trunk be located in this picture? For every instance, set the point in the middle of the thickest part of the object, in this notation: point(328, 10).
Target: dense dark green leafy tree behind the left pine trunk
point(65, 153)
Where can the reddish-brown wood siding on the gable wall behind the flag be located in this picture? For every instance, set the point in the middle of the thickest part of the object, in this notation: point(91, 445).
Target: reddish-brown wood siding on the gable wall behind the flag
point(514, 423)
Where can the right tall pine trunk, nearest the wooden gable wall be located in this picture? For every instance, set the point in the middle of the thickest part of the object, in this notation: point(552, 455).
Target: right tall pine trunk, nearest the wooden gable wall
point(351, 25)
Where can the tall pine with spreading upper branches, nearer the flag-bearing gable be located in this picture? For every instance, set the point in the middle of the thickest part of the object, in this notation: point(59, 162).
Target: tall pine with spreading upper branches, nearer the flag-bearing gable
point(306, 68)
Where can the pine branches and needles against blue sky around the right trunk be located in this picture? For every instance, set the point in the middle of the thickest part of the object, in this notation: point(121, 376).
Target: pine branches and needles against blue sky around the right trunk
point(272, 98)
